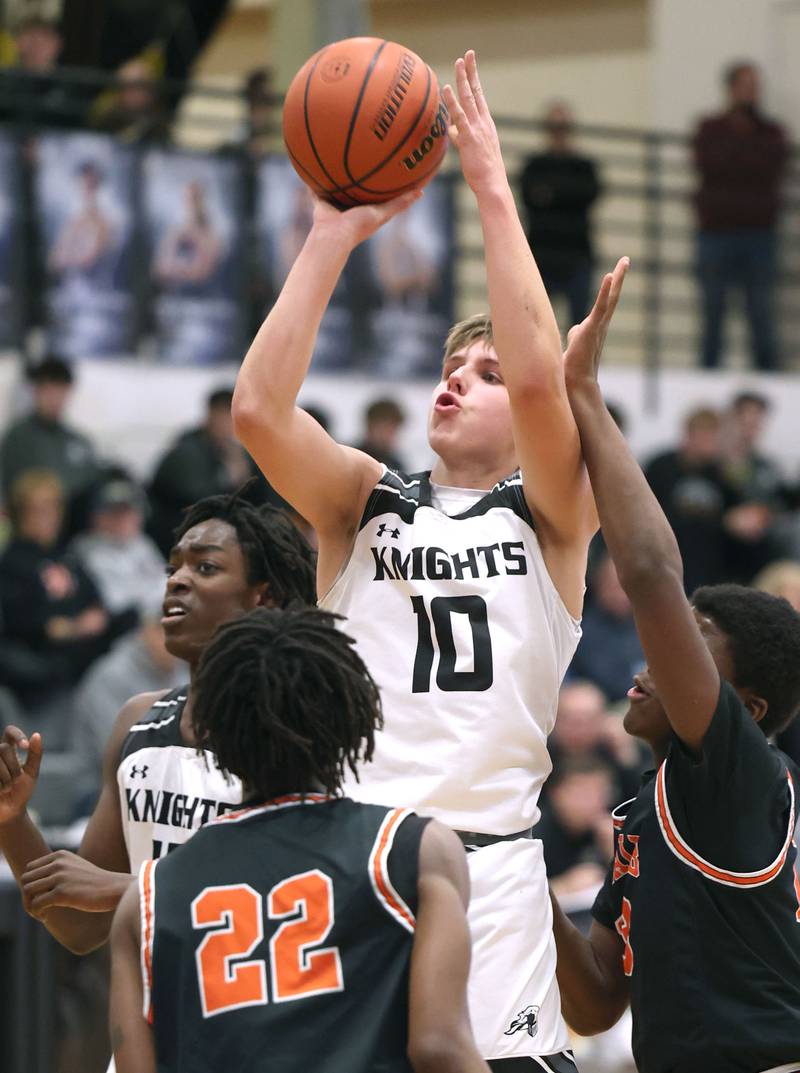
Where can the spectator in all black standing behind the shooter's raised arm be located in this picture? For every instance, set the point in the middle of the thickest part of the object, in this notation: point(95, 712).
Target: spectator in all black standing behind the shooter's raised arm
point(558, 188)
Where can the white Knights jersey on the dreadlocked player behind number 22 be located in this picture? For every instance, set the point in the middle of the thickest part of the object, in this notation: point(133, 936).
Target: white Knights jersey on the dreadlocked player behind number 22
point(167, 788)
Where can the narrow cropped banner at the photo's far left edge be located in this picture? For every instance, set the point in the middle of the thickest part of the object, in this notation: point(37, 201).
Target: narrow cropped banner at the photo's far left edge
point(11, 244)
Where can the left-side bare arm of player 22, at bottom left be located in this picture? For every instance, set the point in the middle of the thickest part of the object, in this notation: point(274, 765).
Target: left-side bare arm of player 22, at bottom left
point(132, 1042)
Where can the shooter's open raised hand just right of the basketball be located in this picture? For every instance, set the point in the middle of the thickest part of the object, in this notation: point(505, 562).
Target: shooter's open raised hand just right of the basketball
point(473, 131)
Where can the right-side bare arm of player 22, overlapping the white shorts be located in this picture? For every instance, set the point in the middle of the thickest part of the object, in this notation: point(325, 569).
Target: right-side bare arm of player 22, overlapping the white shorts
point(440, 1037)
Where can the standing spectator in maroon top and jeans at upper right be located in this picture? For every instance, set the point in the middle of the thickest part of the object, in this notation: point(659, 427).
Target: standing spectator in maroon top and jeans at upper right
point(742, 157)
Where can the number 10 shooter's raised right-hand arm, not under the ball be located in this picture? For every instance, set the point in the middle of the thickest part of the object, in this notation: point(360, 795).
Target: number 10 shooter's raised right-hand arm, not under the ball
point(527, 342)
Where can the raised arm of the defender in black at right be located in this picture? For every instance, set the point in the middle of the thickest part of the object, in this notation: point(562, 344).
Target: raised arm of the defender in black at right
point(639, 537)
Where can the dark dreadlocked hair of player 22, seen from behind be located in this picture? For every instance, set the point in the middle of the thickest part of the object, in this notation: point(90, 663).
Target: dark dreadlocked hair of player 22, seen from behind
point(285, 702)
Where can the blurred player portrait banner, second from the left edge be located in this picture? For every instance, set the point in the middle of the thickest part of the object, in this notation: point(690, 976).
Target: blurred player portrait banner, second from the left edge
point(85, 198)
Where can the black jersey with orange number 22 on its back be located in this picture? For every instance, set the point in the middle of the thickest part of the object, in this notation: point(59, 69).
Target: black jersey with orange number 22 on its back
point(279, 939)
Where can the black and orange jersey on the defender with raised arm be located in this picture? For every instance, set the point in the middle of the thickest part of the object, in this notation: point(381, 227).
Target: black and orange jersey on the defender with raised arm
point(705, 894)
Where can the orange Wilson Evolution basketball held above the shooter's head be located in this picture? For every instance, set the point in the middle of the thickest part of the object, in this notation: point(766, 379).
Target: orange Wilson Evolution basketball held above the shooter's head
point(364, 122)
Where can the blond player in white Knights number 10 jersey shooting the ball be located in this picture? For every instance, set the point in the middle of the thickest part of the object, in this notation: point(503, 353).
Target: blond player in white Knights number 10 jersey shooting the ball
point(464, 590)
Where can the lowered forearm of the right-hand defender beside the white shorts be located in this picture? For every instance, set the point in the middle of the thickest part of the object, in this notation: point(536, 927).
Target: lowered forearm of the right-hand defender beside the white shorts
point(587, 994)
